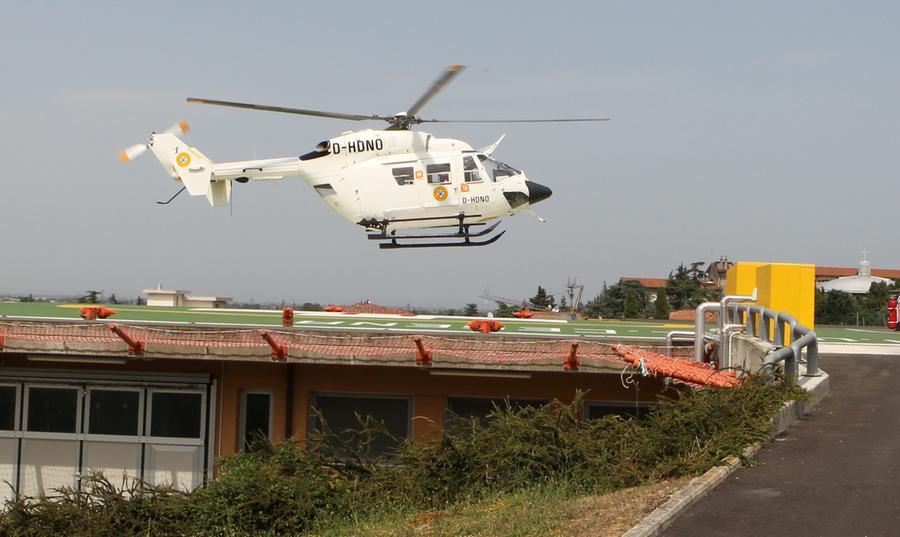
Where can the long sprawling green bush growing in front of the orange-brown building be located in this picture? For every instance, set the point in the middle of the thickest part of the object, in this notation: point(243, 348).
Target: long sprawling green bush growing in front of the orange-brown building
point(285, 488)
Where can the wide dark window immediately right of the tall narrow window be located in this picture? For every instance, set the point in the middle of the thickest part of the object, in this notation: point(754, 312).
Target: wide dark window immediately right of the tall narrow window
point(340, 413)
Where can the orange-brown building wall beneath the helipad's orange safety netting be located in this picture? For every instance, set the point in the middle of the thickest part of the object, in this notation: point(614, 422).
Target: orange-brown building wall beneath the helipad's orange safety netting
point(293, 385)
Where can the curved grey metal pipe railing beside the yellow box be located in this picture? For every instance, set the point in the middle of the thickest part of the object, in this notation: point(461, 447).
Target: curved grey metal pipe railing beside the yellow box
point(737, 315)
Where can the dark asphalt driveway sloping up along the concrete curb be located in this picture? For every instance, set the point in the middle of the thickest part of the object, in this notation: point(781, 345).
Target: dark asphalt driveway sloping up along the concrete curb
point(834, 473)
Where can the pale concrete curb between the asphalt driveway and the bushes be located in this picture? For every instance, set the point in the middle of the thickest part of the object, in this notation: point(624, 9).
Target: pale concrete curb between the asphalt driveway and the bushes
point(661, 517)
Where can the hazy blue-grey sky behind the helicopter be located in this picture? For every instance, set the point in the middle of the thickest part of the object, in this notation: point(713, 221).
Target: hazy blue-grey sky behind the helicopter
point(764, 131)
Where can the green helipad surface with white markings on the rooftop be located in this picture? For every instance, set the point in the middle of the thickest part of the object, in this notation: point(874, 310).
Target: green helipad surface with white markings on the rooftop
point(606, 329)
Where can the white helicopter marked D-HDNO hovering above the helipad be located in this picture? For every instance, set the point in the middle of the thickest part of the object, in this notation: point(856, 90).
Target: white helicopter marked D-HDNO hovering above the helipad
point(383, 180)
